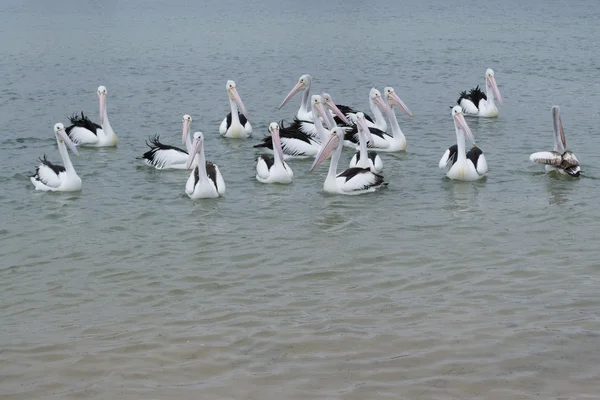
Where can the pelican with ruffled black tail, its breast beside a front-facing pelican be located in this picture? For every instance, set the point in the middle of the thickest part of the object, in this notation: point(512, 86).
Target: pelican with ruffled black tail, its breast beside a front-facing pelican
point(164, 156)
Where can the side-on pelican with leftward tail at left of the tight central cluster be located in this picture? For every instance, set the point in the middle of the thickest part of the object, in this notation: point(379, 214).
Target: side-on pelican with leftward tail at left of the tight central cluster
point(296, 144)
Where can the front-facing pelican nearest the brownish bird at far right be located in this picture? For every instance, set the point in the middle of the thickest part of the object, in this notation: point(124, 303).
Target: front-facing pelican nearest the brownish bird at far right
point(458, 164)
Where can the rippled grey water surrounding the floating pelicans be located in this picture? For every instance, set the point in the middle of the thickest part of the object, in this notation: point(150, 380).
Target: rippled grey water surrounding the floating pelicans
point(429, 289)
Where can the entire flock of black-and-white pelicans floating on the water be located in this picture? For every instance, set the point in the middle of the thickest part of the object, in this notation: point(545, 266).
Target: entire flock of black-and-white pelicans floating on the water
point(320, 130)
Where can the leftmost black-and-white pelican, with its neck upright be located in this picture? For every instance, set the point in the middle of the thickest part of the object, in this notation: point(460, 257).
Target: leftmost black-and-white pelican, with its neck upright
point(56, 178)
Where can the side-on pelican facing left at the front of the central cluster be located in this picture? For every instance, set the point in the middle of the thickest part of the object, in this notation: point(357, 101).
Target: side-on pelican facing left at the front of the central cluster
point(351, 181)
